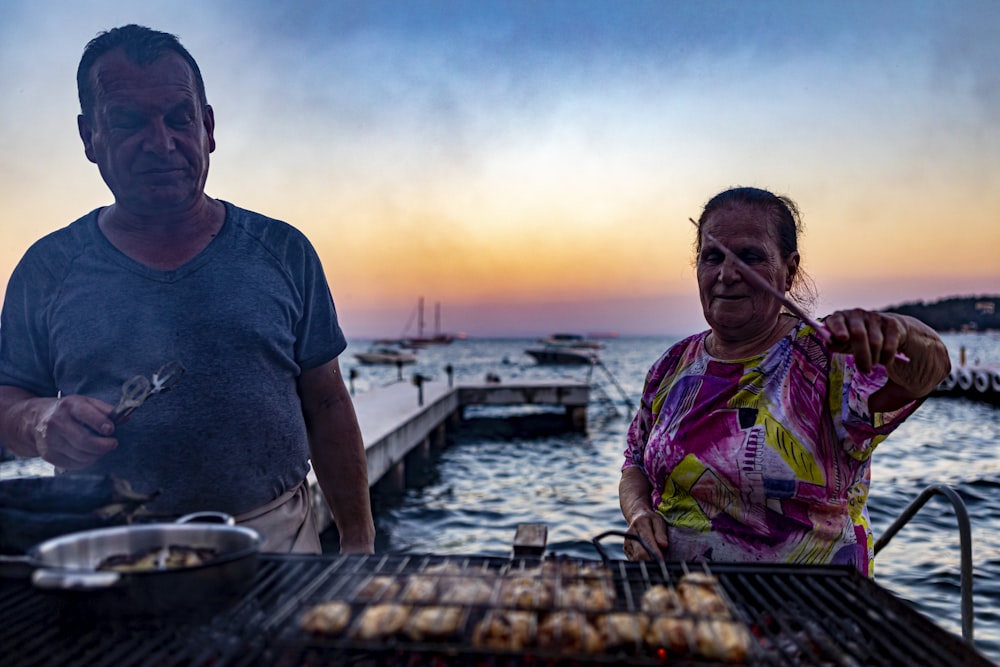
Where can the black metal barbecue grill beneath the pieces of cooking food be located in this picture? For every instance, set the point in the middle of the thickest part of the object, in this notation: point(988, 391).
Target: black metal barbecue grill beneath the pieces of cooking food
point(815, 615)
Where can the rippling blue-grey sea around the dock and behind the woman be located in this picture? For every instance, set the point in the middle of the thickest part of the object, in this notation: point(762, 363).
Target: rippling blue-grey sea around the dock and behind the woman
point(477, 491)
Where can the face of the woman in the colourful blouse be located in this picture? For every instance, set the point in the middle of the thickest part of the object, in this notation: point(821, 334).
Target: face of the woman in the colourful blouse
point(735, 309)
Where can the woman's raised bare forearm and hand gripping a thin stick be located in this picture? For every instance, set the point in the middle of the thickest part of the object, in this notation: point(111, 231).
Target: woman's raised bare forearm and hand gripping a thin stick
point(875, 338)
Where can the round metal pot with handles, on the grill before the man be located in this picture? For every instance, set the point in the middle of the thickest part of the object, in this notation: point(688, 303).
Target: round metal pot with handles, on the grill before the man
point(67, 566)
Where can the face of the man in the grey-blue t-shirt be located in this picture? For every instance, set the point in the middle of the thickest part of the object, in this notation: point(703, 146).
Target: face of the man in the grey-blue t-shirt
point(148, 133)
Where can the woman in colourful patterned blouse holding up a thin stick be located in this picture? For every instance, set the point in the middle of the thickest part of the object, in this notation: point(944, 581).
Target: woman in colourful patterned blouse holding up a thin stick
point(753, 440)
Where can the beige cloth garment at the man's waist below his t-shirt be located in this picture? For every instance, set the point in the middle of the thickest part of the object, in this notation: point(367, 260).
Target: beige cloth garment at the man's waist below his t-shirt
point(287, 523)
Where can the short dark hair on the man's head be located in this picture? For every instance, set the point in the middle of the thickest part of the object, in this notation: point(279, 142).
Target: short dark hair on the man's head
point(142, 46)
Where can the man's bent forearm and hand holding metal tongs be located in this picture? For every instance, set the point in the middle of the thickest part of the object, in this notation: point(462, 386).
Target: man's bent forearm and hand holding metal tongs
point(70, 432)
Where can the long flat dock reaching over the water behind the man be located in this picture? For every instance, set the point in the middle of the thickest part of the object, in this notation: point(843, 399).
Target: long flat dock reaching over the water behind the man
point(404, 422)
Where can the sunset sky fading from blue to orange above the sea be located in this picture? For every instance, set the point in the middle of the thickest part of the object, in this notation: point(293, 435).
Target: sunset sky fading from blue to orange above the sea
point(531, 166)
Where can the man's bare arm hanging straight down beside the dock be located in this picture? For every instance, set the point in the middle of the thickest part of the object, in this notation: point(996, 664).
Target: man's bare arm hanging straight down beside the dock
point(338, 455)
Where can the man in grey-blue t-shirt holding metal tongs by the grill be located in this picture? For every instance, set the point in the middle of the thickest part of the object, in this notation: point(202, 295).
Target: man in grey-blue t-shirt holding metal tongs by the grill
point(167, 273)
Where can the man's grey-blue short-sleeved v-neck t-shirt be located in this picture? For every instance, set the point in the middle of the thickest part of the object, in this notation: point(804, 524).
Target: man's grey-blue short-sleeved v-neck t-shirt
point(244, 317)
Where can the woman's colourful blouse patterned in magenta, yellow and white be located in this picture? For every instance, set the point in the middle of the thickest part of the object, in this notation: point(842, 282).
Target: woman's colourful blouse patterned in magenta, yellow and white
point(765, 459)
